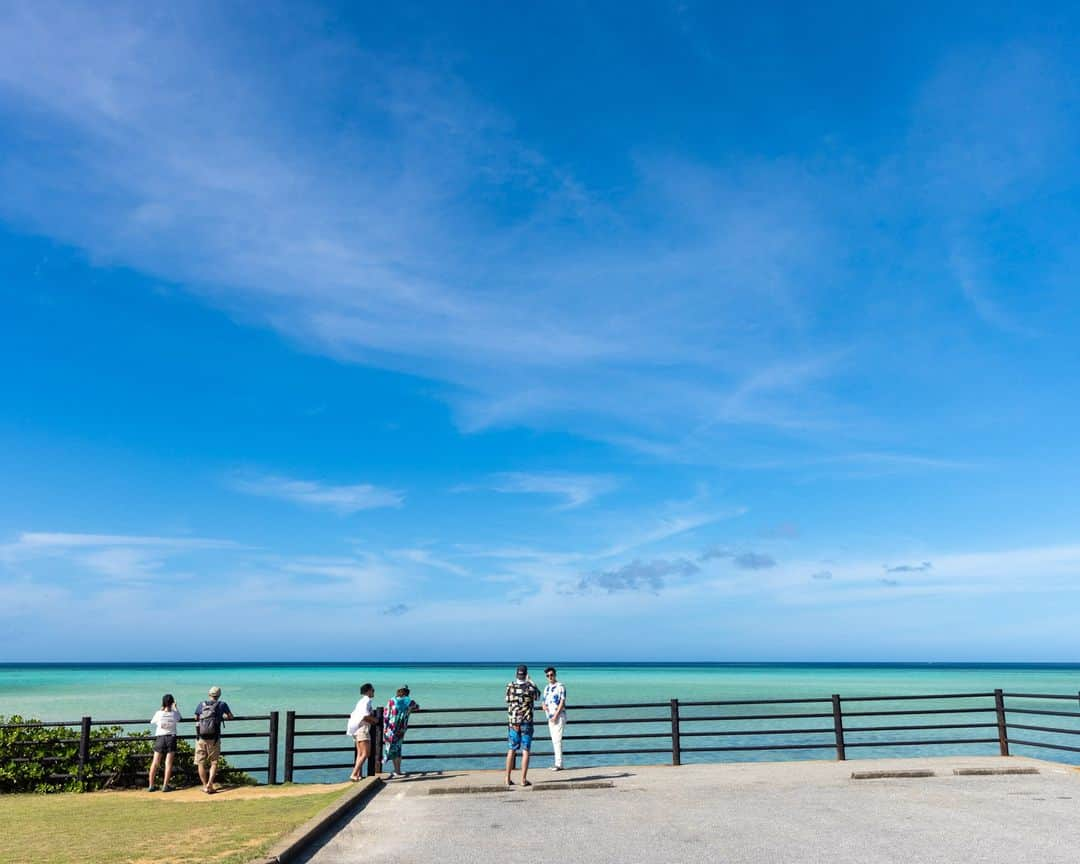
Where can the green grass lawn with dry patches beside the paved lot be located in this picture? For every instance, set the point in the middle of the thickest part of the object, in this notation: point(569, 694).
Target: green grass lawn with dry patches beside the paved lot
point(132, 828)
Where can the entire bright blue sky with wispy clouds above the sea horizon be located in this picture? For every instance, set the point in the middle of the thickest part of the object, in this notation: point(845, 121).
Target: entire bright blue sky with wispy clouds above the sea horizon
point(673, 332)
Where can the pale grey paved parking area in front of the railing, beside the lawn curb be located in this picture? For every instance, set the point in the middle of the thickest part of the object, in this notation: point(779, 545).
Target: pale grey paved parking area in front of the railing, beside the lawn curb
point(752, 814)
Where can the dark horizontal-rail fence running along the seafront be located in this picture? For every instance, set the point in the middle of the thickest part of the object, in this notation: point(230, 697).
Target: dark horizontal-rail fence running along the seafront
point(656, 732)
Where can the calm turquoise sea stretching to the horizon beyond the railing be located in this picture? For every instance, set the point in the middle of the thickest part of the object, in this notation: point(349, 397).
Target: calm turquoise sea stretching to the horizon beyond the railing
point(125, 692)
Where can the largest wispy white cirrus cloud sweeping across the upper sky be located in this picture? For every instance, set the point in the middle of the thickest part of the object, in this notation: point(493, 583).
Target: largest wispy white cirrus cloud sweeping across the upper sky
point(354, 237)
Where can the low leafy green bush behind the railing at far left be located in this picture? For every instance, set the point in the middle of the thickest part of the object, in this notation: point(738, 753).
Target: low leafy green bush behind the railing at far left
point(32, 755)
